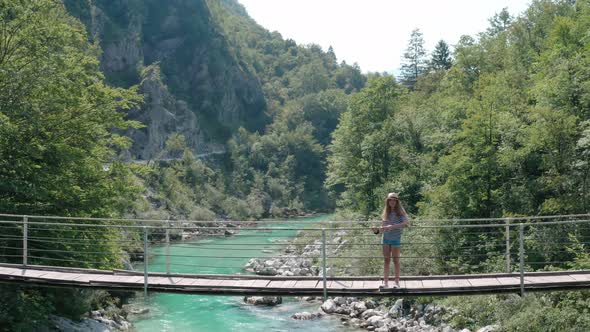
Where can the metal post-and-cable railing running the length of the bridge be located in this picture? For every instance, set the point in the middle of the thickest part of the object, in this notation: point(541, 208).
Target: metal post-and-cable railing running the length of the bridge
point(294, 248)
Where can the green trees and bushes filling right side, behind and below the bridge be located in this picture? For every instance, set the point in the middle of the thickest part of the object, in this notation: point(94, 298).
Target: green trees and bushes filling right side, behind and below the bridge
point(501, 132)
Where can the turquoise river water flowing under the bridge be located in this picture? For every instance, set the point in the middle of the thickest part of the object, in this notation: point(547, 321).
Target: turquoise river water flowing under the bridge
point(179, 312)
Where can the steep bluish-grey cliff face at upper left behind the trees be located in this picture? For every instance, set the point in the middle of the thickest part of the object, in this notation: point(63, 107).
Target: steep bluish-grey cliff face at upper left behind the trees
point(193, 83)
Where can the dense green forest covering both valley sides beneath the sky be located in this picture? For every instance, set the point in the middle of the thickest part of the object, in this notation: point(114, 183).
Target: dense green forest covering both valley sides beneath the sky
point(496, 125)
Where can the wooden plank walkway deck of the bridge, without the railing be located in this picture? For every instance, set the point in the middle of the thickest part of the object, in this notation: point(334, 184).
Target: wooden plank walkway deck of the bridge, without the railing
point(256, 285)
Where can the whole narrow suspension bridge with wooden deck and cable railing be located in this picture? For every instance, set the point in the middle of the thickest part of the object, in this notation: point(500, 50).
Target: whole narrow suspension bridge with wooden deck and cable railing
point(53, 251)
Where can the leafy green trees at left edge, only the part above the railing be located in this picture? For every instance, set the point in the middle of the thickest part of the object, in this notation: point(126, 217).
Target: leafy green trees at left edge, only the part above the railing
point(56, 116)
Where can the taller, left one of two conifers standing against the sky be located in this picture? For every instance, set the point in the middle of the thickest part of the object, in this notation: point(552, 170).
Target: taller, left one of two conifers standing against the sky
point(414, 60)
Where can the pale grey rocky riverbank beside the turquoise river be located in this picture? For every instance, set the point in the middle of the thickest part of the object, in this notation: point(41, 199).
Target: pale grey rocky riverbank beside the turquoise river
point(403, 315)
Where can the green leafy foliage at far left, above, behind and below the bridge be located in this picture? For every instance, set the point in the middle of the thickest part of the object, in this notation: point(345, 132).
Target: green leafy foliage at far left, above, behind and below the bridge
point(57, 145)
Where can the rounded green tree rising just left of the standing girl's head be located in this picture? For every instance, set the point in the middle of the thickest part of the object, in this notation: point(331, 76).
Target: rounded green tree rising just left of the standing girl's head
point(359, 161)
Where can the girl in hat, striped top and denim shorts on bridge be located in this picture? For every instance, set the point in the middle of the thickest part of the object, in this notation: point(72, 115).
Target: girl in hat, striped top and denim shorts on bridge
point(394, 219)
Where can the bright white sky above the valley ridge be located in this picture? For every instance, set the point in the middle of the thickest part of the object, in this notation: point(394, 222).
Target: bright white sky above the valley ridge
point(375, 33)
